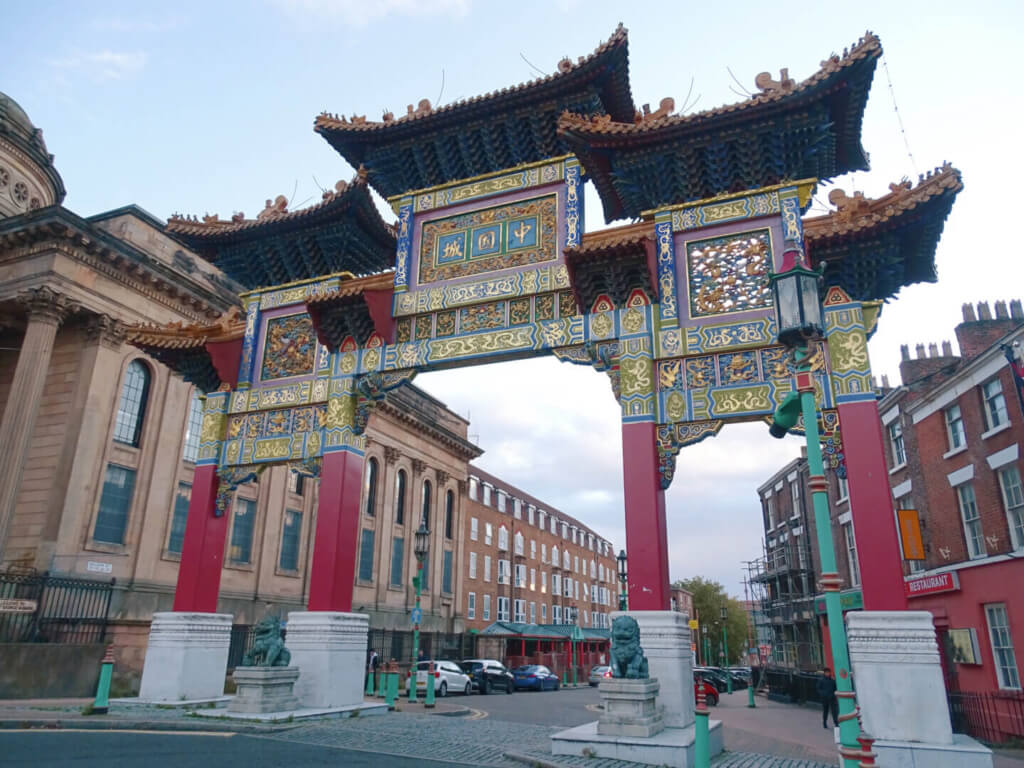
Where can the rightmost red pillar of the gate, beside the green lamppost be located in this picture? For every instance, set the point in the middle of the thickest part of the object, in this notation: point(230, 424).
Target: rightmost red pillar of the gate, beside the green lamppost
point(872, 507)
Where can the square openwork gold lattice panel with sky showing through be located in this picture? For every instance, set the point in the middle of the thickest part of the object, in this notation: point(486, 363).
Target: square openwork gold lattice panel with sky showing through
point(730, 274)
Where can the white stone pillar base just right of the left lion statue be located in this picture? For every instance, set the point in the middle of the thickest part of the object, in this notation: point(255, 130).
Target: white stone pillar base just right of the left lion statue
point(330, 650)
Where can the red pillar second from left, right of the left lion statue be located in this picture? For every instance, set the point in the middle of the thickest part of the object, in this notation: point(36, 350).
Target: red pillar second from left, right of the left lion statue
point(336, 541)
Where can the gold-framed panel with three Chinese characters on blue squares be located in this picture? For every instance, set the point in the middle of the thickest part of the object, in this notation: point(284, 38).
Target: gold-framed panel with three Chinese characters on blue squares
point(517, 234)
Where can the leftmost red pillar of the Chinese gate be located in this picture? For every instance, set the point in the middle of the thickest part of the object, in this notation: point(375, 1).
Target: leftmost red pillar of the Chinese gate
point(203, 549)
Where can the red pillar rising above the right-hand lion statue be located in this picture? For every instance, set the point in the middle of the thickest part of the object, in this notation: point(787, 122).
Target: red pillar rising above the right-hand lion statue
point(647, 536)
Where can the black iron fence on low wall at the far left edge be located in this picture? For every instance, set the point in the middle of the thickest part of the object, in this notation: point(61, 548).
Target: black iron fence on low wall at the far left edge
point(45, 609)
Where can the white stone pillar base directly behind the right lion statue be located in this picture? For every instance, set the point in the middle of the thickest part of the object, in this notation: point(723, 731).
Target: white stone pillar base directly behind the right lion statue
point(665, 637)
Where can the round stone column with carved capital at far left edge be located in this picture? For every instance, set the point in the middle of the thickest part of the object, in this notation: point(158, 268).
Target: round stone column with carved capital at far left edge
point(47, 310)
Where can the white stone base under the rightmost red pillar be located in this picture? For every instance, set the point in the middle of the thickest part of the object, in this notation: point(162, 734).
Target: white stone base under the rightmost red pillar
point(899, 676)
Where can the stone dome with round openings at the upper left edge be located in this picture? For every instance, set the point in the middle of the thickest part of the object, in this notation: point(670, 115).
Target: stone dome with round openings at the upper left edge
point(28, 178)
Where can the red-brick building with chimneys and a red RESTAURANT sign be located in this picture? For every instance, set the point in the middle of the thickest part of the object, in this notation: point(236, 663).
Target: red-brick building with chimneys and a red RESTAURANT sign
point(955, 428)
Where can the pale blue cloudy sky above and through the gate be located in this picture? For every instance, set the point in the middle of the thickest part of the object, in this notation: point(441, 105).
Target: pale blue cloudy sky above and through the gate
point(208, 108)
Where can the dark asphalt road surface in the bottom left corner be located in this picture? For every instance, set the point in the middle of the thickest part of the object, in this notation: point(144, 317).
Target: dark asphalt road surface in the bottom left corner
point(41, 749)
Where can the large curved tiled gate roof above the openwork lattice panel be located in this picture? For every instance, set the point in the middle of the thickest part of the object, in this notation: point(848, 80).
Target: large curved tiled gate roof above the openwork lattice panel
point(790, 131)
